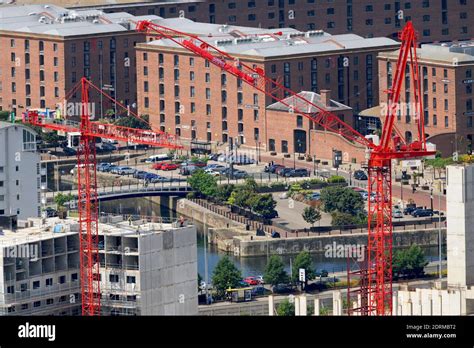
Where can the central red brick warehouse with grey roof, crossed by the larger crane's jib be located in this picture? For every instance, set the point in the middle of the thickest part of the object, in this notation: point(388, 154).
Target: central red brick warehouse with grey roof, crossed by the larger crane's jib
point(184, 94)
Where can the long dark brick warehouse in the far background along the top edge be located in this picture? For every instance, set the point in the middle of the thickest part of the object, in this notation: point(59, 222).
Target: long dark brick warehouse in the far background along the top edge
point(436, 20)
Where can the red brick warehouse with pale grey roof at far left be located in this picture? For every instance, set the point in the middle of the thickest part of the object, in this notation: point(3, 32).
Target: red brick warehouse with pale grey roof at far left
point(47, 49)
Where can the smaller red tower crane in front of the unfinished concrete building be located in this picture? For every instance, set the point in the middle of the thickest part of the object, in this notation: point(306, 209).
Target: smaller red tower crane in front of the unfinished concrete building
point(87, 199)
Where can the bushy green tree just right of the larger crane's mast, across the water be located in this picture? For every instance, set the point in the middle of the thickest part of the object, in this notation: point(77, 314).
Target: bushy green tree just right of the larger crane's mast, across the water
point(410, 262)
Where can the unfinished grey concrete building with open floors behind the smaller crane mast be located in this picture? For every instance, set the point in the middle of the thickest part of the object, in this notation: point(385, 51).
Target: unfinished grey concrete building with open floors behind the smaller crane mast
point(145, 268)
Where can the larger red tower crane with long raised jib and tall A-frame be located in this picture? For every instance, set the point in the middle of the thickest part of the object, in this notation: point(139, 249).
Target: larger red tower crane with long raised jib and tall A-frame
point(392, 144)
